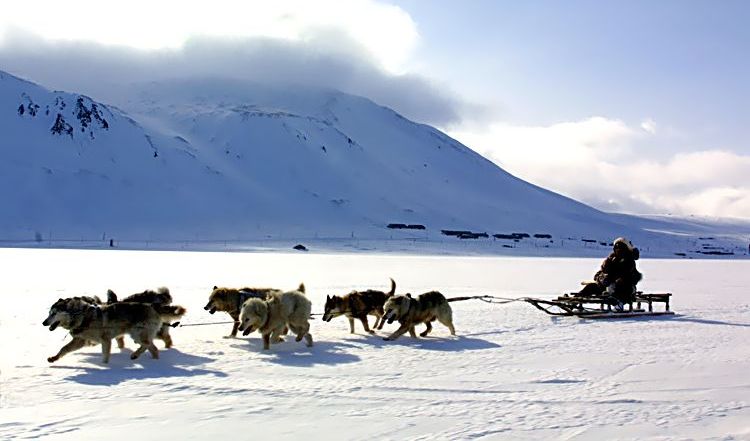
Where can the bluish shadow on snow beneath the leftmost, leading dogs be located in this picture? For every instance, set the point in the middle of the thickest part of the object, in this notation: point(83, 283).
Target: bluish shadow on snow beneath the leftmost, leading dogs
point(171, 363)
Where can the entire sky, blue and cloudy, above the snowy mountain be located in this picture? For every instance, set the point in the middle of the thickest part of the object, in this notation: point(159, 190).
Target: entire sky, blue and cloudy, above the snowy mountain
point(630, 106)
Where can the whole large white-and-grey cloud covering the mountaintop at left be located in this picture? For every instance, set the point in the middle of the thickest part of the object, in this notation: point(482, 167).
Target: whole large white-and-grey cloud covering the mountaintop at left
point(358, 46)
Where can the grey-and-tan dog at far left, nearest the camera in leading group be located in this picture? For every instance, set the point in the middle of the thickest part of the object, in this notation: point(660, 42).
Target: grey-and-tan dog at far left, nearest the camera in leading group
point(88, 323)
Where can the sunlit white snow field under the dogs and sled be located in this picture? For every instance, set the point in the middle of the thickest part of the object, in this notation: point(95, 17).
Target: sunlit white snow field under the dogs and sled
point(510, 373)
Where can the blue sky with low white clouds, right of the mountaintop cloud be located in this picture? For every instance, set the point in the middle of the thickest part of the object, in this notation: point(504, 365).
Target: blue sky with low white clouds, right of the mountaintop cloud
point(664, 84)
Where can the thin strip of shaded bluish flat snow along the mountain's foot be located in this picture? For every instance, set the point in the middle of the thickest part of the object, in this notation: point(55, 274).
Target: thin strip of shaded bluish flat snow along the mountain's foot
point(419, 243)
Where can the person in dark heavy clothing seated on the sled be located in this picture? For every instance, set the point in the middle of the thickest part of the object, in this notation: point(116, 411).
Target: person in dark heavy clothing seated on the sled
point(618, 276)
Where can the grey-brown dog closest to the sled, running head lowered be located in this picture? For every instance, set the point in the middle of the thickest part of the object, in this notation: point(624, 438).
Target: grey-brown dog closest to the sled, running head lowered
point(424, 309)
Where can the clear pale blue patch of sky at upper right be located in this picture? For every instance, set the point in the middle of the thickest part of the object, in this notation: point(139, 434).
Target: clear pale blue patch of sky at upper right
point(683, 63)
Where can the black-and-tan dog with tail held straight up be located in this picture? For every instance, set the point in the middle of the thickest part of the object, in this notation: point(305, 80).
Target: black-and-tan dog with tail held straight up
point(359, 304)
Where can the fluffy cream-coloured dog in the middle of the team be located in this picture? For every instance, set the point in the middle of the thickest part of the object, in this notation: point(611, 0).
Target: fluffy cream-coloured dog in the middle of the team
point(281, 309)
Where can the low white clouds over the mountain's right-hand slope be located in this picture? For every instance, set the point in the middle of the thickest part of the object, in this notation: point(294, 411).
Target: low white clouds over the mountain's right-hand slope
point(597, 161)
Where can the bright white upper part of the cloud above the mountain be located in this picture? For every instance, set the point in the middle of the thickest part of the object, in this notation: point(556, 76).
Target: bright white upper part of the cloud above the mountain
point(385, 32)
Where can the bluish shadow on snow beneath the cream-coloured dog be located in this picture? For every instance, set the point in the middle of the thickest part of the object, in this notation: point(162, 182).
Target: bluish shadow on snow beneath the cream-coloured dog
point(292, 353)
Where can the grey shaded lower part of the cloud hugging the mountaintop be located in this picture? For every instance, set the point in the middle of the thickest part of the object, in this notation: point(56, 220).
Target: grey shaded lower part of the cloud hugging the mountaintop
point(325, 59)
